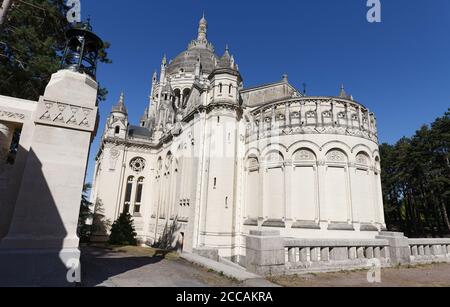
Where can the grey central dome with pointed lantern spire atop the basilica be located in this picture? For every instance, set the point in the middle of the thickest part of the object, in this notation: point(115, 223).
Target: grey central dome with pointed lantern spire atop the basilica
point(199, 50)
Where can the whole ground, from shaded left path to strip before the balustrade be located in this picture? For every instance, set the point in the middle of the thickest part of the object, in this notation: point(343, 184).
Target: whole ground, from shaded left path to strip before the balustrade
point(138, 267)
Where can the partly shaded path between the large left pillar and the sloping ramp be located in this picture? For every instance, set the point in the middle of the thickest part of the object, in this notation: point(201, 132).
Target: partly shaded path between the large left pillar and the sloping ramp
point(138, 268)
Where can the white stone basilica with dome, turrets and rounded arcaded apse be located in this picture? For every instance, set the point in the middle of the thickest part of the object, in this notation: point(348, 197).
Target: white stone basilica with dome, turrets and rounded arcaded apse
point(212, 160)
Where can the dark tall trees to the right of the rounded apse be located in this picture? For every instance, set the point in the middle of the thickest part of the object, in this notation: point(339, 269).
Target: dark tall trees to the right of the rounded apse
point(416, 181)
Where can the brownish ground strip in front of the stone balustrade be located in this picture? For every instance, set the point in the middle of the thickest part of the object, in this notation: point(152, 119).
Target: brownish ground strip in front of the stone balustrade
point(436, 275)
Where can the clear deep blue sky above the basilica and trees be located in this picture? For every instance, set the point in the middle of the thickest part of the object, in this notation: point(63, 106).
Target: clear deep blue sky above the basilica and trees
point(399, 68)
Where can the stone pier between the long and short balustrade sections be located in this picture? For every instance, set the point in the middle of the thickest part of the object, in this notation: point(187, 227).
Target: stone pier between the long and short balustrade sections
point(398, 247)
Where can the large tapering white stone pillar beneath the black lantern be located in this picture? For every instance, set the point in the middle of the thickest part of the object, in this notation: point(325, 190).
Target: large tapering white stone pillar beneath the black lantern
point(41, 248)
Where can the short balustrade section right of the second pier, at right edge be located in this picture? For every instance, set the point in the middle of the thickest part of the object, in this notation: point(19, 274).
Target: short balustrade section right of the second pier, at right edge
point(429, 250)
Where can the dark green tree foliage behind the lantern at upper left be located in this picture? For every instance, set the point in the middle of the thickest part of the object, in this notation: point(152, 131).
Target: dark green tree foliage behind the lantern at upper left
point(32, 42)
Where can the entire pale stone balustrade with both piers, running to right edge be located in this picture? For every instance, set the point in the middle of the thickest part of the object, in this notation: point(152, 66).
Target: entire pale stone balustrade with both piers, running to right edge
point(268, 253)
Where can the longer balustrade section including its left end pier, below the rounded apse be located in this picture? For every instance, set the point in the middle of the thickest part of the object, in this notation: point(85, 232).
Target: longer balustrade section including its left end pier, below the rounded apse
point(270, 254)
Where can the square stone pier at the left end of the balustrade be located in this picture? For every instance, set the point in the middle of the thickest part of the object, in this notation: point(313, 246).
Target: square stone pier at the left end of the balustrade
point(265, 252)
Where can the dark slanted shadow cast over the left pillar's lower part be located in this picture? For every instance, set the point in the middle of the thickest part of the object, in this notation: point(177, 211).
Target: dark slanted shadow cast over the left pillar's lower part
point(31, 249)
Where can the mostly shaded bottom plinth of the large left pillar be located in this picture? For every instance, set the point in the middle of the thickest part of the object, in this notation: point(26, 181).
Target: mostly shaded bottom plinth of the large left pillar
point(40, 268)
